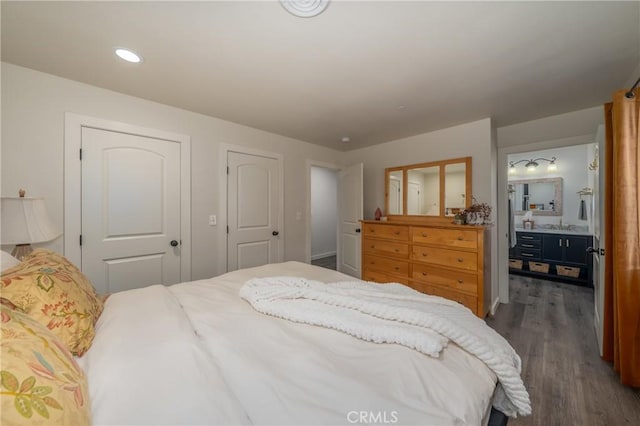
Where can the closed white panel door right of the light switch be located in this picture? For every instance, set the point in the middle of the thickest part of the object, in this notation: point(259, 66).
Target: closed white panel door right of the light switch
point(253, 192)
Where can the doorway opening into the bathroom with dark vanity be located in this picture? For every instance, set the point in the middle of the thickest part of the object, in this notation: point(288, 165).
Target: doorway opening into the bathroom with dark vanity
point(573, 215)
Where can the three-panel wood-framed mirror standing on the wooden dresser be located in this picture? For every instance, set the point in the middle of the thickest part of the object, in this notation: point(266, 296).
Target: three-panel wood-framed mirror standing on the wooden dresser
point(432, 190)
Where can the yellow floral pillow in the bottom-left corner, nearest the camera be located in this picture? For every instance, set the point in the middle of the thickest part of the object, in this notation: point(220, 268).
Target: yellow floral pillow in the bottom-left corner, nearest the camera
point(40, 382)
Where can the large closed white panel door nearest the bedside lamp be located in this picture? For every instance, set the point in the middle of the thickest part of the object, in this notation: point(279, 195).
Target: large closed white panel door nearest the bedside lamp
point(130, 210)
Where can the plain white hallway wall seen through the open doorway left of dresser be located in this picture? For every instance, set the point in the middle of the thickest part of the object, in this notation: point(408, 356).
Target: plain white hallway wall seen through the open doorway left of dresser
point(324, 212)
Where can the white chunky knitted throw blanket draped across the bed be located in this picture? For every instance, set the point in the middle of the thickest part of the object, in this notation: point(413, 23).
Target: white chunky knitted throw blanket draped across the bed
point(394, 313)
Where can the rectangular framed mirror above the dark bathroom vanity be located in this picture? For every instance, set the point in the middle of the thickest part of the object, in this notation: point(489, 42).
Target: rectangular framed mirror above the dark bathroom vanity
point(542, 197)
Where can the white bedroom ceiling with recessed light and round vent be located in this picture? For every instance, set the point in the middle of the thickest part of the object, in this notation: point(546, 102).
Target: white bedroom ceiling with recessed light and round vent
point(372, 71)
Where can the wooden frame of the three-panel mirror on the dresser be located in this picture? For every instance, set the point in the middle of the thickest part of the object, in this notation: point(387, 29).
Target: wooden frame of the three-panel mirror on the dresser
point(441, 164)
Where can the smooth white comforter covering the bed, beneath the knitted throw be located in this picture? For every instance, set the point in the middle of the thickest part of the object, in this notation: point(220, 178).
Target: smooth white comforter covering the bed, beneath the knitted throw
point(196, 353)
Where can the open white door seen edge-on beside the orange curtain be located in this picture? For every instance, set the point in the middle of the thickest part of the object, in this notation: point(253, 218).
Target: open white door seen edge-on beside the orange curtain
point(599, 238)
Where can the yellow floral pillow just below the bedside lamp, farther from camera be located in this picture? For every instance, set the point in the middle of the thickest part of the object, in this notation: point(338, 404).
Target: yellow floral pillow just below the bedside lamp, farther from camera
point(55, 293)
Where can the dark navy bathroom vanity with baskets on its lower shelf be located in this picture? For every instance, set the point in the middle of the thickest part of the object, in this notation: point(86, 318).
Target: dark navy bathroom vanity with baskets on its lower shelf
point(554, 254)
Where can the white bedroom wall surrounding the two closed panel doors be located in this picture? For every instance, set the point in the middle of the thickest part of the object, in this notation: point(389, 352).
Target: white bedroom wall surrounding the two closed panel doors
point(33, 108)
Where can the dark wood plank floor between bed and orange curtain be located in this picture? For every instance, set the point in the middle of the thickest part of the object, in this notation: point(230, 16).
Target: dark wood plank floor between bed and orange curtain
point(550, 325)
